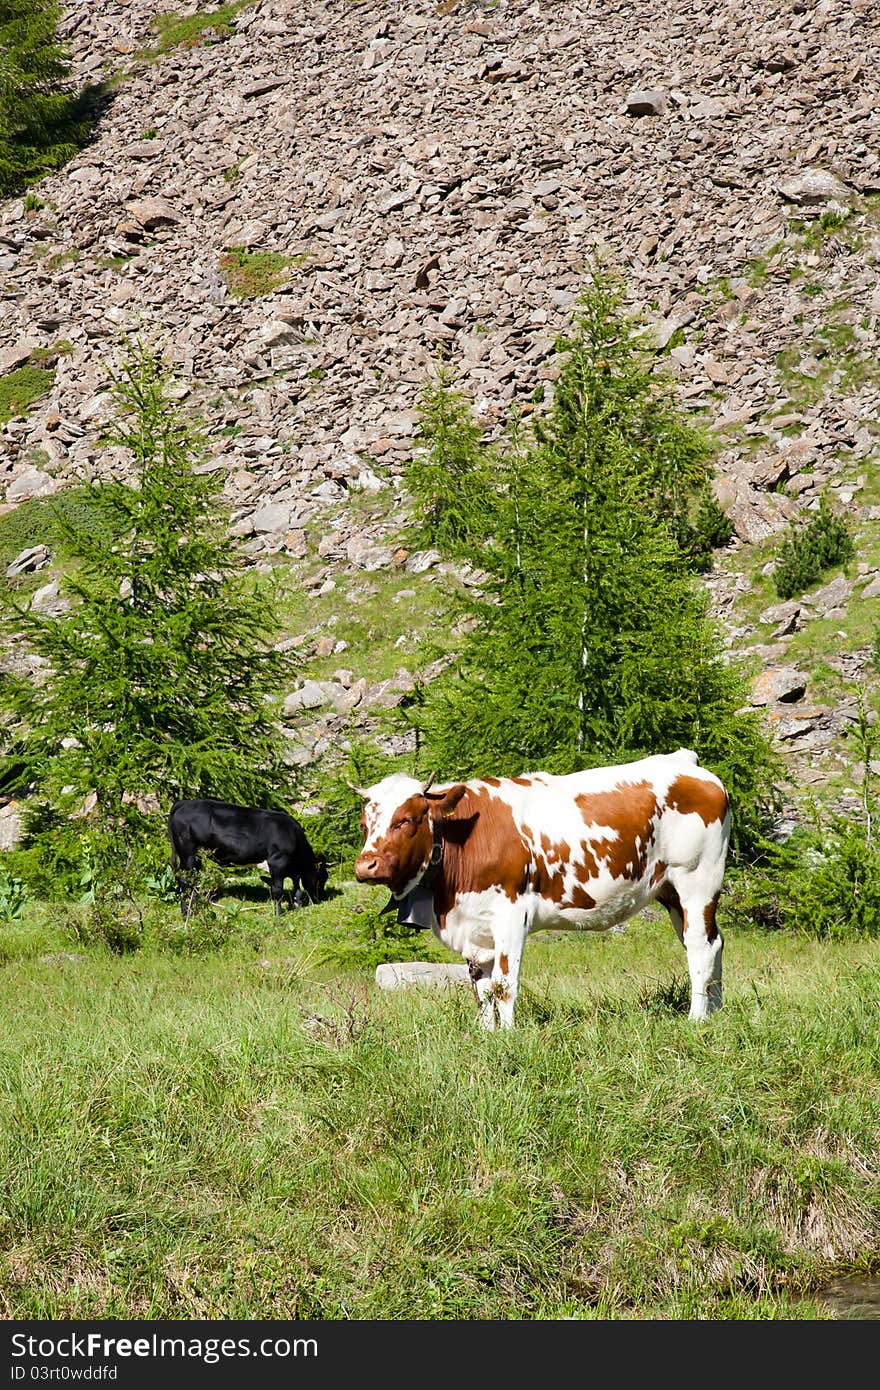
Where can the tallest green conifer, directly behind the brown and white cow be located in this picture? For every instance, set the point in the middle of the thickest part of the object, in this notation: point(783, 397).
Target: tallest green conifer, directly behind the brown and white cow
point(590, 641)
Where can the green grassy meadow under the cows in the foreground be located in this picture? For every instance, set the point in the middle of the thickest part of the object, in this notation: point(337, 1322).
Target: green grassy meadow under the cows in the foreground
point(261, 1132)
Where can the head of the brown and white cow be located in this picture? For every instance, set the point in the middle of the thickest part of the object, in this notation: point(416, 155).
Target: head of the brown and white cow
point(398, 824)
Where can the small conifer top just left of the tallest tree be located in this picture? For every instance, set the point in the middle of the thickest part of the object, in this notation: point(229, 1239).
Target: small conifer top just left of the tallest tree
point(448, 477)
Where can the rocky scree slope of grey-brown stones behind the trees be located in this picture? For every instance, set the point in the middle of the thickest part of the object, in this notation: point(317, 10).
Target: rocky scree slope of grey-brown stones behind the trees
point(311, 205)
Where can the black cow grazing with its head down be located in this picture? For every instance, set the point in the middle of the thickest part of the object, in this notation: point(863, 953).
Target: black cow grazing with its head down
point(244, 836)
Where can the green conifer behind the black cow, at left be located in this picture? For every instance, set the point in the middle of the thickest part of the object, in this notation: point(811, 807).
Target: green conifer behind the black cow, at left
point(163, 667)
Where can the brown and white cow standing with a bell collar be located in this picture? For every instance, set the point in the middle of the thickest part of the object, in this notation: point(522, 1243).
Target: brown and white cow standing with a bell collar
point(489, 861)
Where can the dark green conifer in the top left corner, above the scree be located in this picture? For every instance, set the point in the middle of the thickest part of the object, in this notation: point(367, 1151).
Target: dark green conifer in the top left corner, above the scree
point(42, 124)
